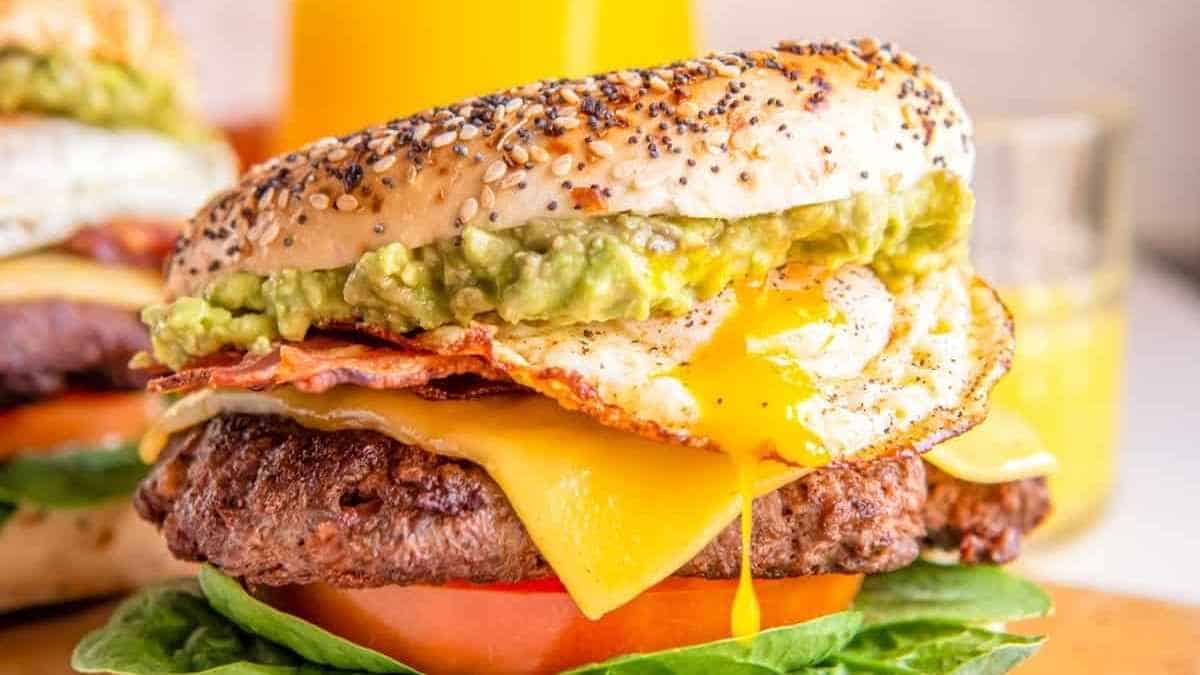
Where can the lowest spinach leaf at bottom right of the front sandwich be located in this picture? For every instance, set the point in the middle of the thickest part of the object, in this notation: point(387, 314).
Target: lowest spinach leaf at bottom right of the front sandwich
point(929, 648)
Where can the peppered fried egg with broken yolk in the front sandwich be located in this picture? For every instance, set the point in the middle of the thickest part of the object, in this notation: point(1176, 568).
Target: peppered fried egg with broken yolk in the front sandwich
point(811, 367)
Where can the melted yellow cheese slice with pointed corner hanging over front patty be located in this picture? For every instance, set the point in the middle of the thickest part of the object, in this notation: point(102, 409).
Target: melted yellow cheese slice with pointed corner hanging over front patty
point(611, 512)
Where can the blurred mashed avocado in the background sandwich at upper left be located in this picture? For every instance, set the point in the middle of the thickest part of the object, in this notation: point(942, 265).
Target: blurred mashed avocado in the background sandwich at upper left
point(92, 92)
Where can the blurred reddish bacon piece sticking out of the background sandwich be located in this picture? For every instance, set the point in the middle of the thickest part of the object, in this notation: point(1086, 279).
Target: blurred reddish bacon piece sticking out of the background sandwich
point(131, 243)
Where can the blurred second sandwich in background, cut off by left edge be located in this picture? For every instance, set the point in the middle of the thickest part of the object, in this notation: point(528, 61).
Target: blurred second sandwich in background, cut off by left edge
point(103, 156)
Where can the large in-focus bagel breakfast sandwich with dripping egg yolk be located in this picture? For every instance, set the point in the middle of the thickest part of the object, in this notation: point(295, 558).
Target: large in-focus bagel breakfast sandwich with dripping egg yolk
point(634, 372)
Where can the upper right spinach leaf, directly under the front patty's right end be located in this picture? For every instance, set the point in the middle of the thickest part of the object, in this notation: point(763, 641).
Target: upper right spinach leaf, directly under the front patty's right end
point(969, 595)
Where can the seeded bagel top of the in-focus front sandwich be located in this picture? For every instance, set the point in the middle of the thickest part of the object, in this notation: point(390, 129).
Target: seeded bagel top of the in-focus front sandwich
point(727, 136)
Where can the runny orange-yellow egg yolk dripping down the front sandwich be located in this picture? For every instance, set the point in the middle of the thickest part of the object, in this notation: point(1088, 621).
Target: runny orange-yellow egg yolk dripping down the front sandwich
point(748, 396)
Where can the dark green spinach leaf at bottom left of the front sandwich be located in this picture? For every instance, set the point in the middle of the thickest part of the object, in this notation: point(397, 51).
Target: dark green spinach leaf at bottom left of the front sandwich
point(171, 630)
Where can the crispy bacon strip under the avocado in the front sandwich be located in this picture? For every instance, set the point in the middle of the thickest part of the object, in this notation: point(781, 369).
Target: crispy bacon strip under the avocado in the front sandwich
point(320, 365)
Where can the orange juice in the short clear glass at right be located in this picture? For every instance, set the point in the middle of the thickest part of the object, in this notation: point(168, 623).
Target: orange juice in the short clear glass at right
point(1065, 383)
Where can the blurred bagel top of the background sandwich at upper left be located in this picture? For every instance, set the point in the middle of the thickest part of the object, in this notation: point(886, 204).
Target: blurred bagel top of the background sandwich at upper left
point(134, 34)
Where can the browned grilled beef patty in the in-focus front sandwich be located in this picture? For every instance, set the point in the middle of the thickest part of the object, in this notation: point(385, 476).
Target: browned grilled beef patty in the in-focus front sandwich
point(274, 503)
